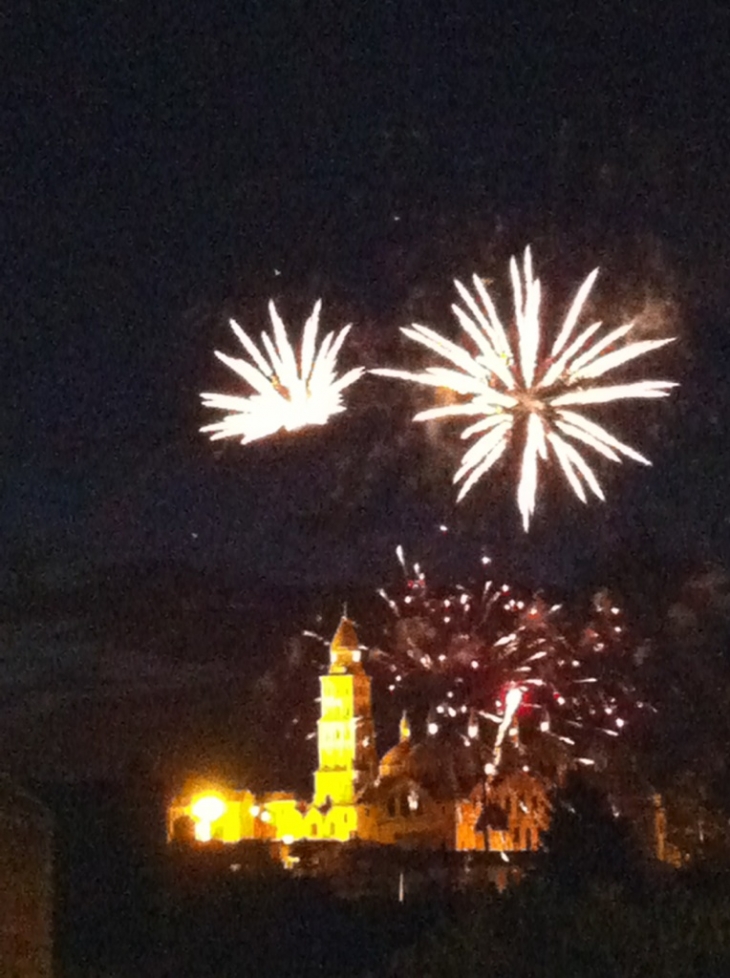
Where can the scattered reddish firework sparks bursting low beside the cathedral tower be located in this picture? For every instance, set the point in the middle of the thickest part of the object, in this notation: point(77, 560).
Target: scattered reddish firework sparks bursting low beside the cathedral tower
point(506, 667)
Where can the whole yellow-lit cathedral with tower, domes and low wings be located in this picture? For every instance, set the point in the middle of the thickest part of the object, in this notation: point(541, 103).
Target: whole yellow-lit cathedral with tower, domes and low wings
point(415, 796)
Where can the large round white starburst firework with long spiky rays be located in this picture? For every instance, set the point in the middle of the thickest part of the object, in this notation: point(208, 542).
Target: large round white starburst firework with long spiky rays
point(515, 393)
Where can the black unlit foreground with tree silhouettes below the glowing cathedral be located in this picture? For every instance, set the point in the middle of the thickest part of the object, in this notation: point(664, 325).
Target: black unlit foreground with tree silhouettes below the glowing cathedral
point(122, 913)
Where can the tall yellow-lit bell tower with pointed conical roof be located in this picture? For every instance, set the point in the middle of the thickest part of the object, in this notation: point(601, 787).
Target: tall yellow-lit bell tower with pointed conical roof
point(348, 761)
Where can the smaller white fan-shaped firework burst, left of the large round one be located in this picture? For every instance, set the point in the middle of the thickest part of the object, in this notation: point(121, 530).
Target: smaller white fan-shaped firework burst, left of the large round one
point(288, 392)
